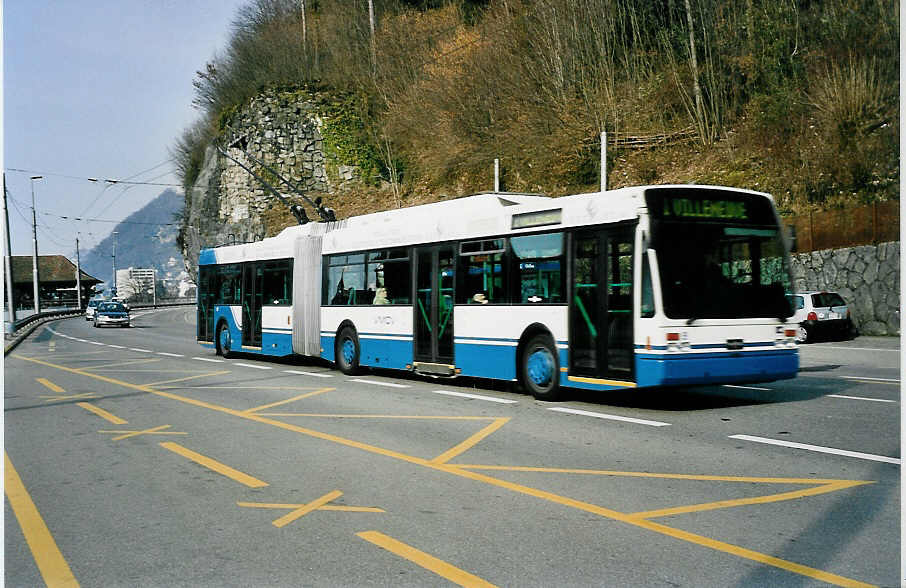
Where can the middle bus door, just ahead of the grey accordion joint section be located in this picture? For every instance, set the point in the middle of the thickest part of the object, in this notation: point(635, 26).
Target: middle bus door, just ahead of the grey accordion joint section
point(434, 295)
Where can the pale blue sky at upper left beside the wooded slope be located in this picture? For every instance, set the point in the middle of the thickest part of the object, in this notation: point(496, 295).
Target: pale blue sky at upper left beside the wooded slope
point(97, 89)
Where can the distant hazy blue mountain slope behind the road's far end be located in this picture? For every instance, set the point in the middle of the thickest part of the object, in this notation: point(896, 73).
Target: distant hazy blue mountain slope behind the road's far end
point(146, 239)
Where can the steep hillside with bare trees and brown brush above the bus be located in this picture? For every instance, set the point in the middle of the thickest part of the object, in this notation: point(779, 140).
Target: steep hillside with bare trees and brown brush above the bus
point(794, 97)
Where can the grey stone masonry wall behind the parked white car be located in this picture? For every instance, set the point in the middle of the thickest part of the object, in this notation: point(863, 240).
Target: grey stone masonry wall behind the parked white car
point(868, 278)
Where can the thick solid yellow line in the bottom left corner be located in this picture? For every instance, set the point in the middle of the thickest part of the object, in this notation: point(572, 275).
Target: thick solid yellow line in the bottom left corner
point(44, 550)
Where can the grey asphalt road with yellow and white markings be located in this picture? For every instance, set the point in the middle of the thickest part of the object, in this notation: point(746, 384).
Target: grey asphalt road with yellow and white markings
point(136, 458)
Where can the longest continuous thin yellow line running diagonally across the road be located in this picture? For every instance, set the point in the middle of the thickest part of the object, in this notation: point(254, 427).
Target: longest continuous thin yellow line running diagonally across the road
point(464, 473)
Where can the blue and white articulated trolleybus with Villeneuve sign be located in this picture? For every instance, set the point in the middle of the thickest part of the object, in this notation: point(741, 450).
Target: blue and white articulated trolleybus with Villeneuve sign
point(636, 287)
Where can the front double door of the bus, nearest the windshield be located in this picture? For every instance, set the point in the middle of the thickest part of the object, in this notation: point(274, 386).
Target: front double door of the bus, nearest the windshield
point(600, 311)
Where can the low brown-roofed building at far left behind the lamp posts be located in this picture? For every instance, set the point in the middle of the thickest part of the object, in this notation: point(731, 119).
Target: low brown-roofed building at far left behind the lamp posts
point(56, 282)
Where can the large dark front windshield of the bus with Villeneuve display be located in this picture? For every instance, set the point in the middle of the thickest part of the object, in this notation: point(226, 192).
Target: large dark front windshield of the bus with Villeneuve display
point(720, 254)
